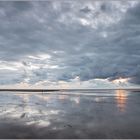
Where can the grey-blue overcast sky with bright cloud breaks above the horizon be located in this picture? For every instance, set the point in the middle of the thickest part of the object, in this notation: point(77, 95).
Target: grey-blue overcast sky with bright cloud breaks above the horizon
point(69, 44)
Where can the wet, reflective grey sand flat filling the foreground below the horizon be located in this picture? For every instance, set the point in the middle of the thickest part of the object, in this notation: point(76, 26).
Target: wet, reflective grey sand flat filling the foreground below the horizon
point(100, 114)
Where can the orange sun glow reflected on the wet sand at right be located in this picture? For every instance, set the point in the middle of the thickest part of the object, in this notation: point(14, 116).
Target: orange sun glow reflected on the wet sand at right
point(121, 98)
